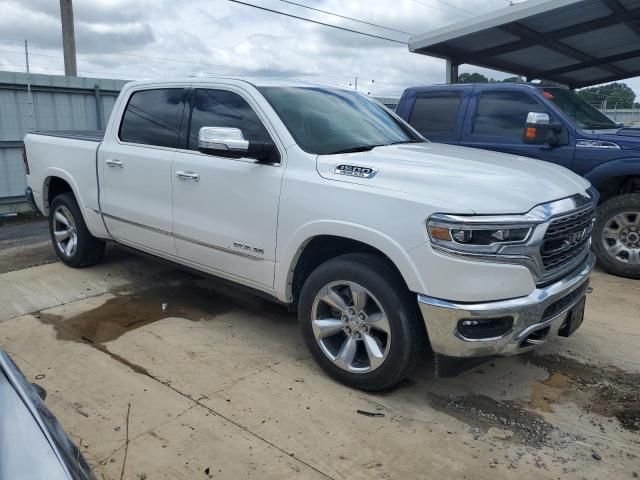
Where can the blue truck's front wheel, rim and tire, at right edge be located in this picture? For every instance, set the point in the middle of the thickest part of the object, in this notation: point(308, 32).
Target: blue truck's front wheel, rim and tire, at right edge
point(616, 236)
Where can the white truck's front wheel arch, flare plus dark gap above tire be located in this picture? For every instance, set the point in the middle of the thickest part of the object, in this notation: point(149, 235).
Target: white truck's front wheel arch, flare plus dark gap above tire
point(321, 241)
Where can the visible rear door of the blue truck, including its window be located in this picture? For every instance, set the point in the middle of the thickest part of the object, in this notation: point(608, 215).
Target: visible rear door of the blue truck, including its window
point(437, 113)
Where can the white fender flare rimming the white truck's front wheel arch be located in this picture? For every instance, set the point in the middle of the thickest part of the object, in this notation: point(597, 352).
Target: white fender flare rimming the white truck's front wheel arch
point(287, 254)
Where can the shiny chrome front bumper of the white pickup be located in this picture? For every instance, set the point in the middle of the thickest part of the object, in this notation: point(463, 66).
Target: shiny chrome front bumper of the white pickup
point(536, 317)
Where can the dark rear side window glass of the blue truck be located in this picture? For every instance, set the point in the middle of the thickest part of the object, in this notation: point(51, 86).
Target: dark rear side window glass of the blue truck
point(436, 112)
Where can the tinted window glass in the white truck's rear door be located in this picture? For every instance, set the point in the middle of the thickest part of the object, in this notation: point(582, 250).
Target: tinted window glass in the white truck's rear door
point(153, 117)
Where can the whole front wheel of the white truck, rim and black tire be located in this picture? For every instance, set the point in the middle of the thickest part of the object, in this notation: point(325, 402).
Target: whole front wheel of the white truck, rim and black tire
point(359, 322)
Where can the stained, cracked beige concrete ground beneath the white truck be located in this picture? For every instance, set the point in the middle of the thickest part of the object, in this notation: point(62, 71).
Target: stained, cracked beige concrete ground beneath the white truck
point(221, 386)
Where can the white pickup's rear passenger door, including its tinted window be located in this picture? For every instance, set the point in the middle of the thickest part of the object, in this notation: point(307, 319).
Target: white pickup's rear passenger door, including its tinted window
point(135, 168)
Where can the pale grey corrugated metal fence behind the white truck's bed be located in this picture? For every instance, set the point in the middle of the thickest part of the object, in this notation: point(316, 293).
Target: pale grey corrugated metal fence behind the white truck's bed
point(56, 103)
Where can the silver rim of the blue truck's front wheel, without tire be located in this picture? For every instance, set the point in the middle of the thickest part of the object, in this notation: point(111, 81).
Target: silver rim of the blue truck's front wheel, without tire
point(621, 237)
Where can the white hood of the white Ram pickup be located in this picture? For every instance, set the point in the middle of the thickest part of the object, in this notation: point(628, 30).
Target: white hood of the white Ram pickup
point(459, 179)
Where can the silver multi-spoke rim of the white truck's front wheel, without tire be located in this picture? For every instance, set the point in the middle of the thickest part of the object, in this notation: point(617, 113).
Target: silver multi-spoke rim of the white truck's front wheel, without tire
point(351, 327)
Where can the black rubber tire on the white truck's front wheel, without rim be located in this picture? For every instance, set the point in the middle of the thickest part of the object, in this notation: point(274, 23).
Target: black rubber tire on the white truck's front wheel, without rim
point(406, 340)
